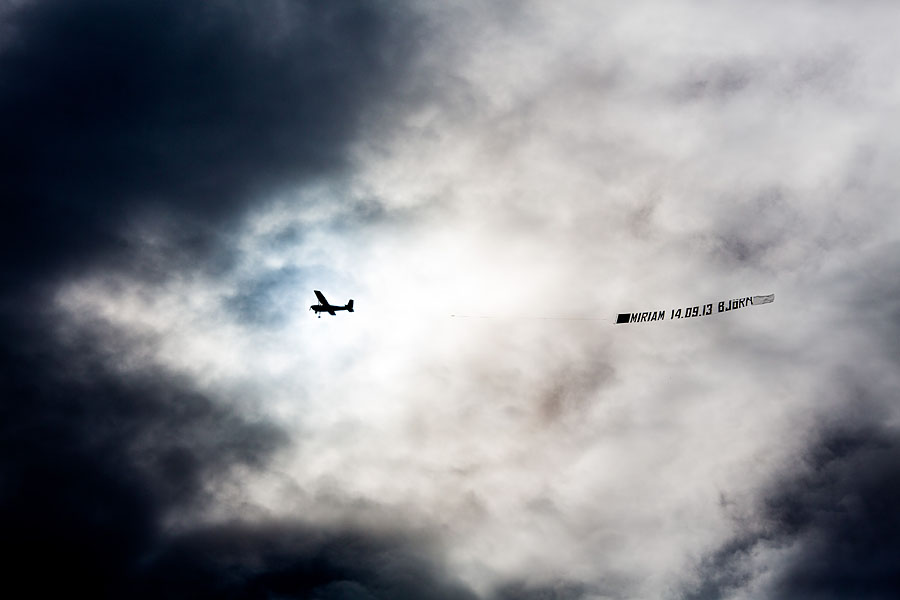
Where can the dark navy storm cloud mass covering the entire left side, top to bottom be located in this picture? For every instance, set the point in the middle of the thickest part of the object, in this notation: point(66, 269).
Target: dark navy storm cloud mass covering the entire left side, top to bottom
point(185, 113)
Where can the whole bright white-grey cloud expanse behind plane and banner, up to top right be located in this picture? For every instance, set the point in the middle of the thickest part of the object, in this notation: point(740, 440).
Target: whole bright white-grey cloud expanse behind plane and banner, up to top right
point(541, 172)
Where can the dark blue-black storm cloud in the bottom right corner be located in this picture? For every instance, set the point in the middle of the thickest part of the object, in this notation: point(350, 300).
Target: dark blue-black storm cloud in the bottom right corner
point(845, 511)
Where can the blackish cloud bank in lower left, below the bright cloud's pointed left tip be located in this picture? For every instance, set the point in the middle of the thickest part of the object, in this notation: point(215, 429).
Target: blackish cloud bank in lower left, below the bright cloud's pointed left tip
point(92, 464)
